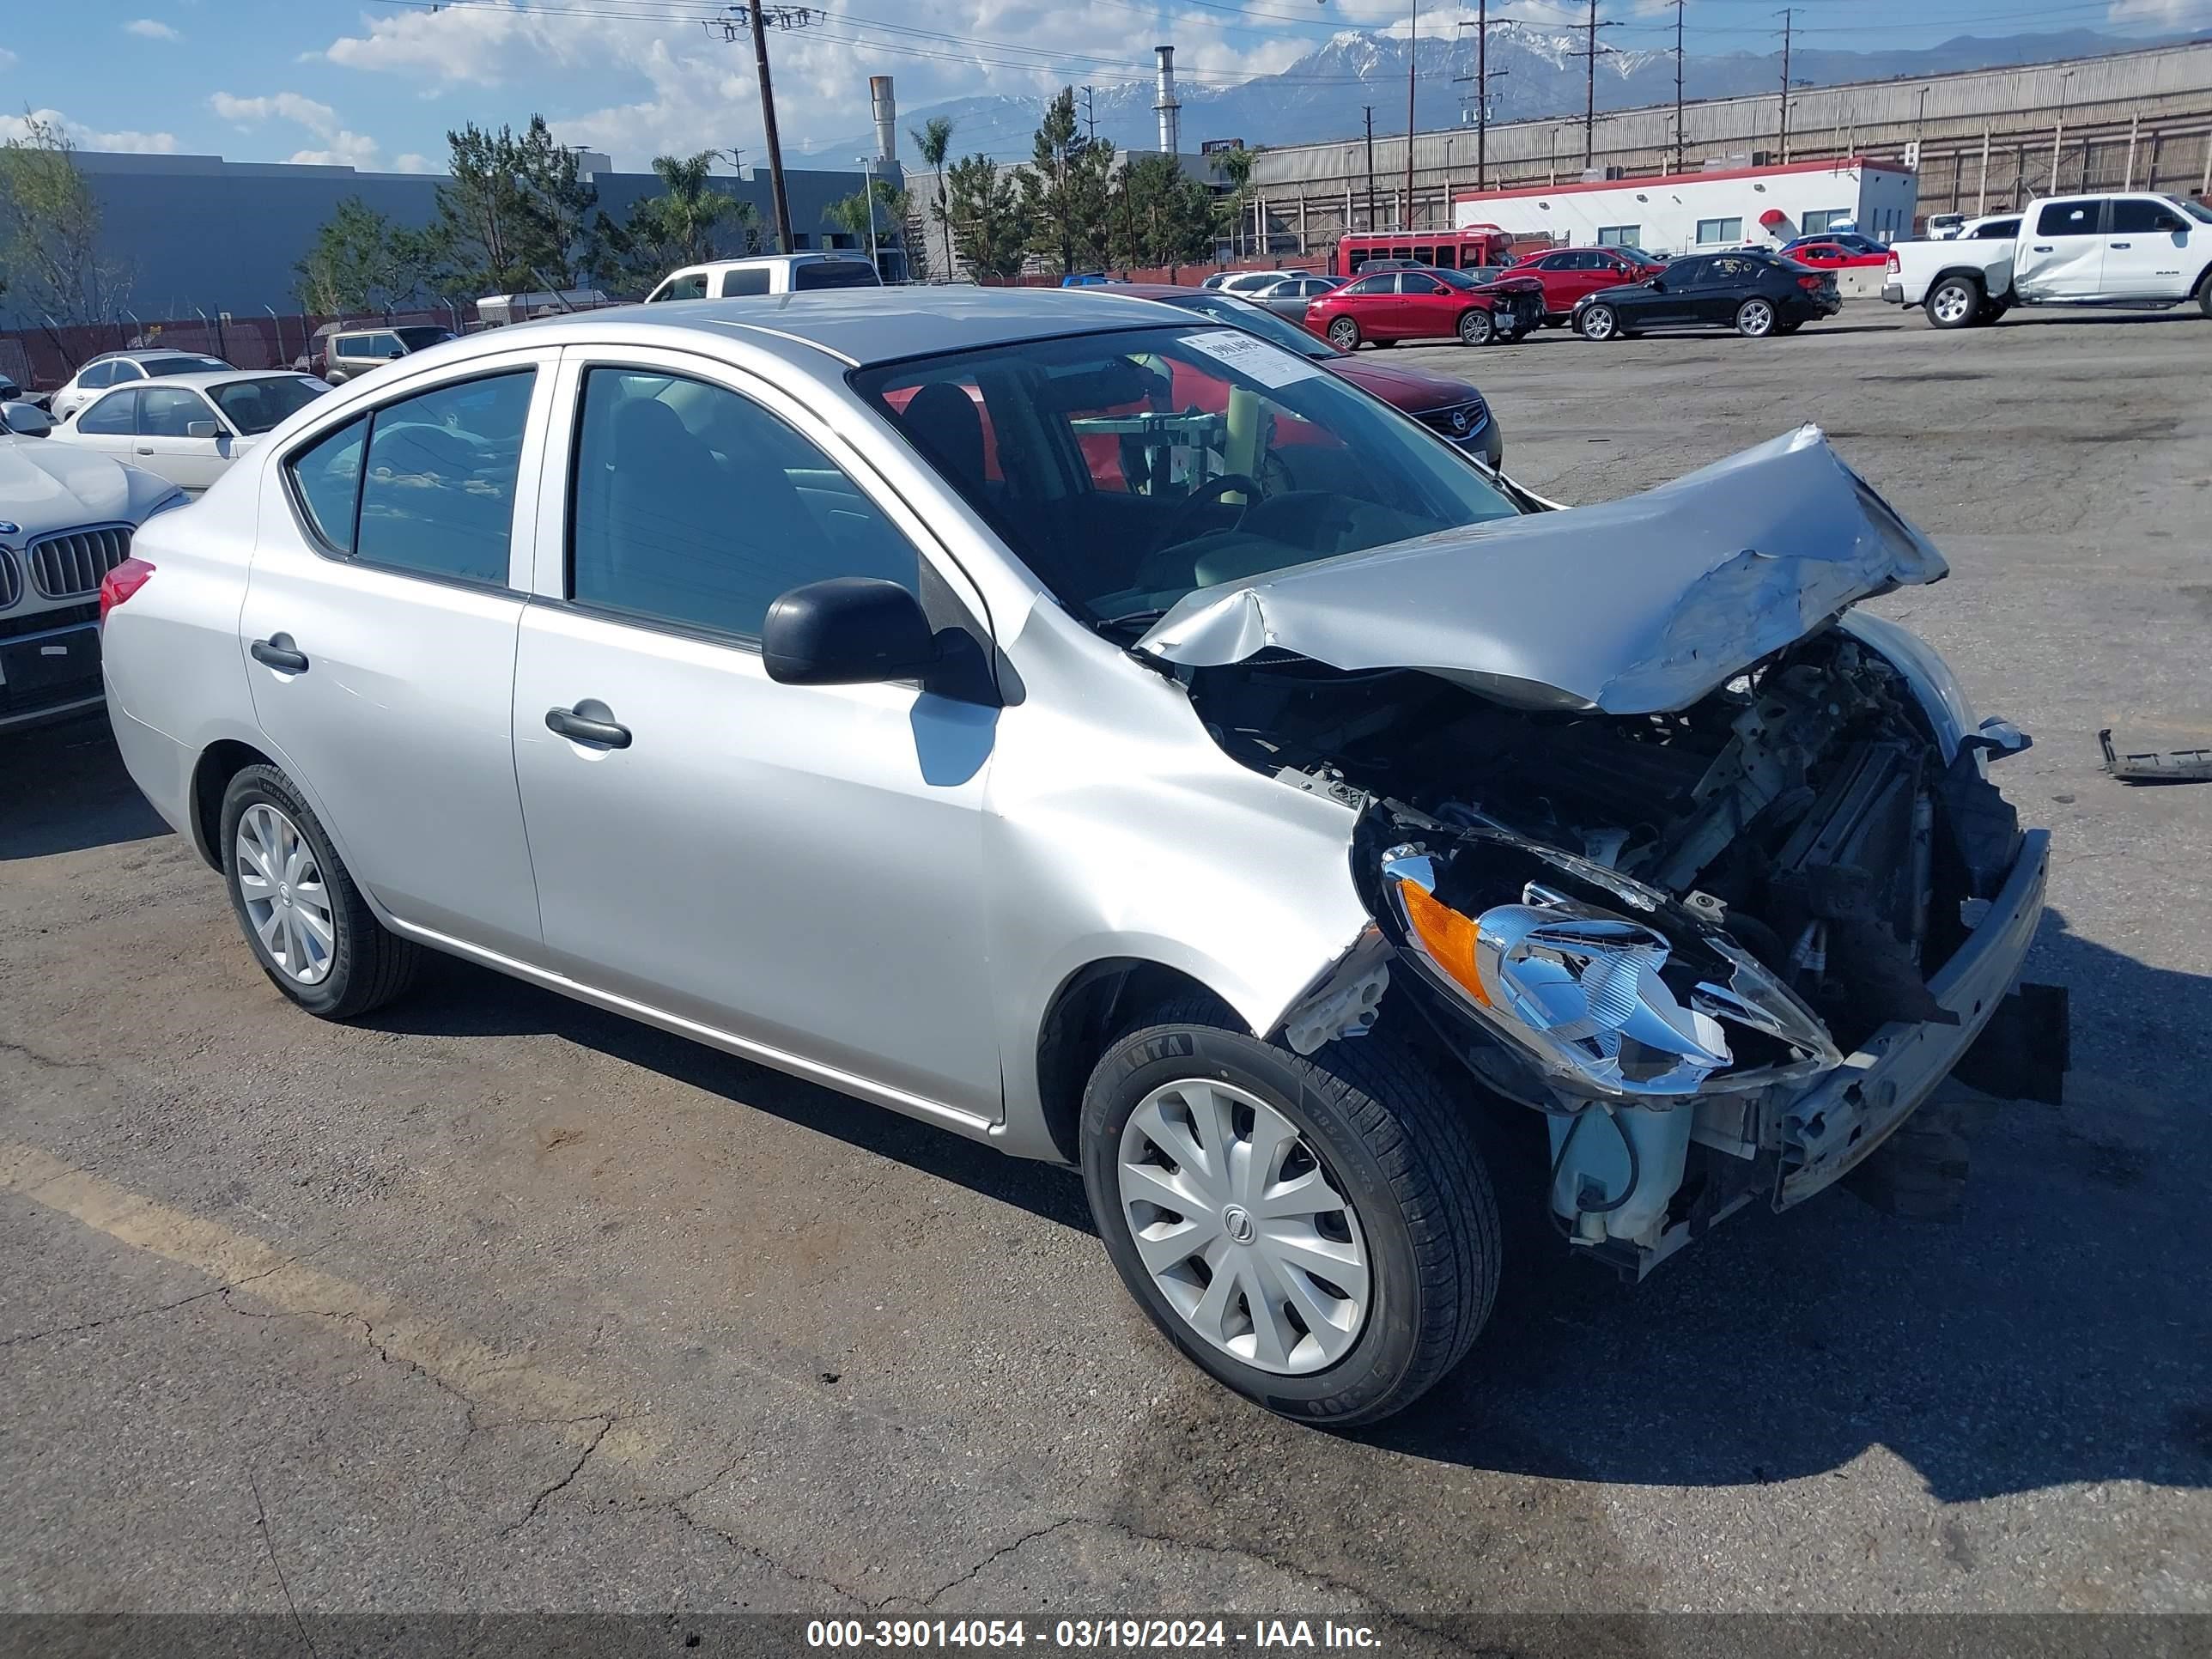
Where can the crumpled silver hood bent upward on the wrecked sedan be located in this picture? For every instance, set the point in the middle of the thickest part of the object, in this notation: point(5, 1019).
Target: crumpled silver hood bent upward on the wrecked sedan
point(1629, 607)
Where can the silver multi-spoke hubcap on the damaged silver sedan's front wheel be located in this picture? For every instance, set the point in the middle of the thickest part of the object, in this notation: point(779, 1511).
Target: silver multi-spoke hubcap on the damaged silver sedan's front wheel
point(1242, 1231)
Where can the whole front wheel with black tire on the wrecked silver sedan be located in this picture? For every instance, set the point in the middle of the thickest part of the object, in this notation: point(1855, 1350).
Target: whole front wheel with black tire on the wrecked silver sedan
point(1317, 1233)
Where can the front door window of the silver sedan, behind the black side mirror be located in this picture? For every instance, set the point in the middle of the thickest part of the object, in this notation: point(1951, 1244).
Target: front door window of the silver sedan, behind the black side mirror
point(700, 508)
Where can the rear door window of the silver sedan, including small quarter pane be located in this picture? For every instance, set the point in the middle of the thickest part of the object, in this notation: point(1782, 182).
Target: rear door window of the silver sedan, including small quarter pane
point(432, 490)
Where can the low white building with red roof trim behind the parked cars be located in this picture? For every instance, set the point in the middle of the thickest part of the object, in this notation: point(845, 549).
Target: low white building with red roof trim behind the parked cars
point(1667, 213)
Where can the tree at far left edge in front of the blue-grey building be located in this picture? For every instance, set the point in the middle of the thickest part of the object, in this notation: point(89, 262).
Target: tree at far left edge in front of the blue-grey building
point(50, 231)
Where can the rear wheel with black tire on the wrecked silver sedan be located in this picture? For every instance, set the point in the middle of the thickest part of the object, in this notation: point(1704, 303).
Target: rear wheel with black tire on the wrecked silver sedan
point(304, 919)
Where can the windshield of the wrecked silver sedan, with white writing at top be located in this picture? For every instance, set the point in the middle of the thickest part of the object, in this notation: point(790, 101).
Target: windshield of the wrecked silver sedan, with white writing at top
point(1129, 470)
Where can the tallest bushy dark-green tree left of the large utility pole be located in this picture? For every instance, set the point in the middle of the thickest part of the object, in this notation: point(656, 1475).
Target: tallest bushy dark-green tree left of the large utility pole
point(519, 213)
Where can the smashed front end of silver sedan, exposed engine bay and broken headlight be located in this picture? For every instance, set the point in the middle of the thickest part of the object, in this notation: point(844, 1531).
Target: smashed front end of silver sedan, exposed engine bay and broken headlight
point(1753, 915)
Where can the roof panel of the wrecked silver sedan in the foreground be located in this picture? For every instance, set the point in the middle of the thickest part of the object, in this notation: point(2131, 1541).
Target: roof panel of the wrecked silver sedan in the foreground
point(862, 326)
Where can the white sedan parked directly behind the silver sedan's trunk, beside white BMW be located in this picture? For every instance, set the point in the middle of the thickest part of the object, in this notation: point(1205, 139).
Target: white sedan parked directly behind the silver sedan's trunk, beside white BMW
point(189, 428)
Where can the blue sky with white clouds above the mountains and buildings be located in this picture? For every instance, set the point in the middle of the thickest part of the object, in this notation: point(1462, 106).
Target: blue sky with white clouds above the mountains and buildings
point(377, 83)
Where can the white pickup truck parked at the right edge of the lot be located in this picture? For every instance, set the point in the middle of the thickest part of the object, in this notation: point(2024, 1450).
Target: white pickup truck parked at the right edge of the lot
point(2140, 251)
